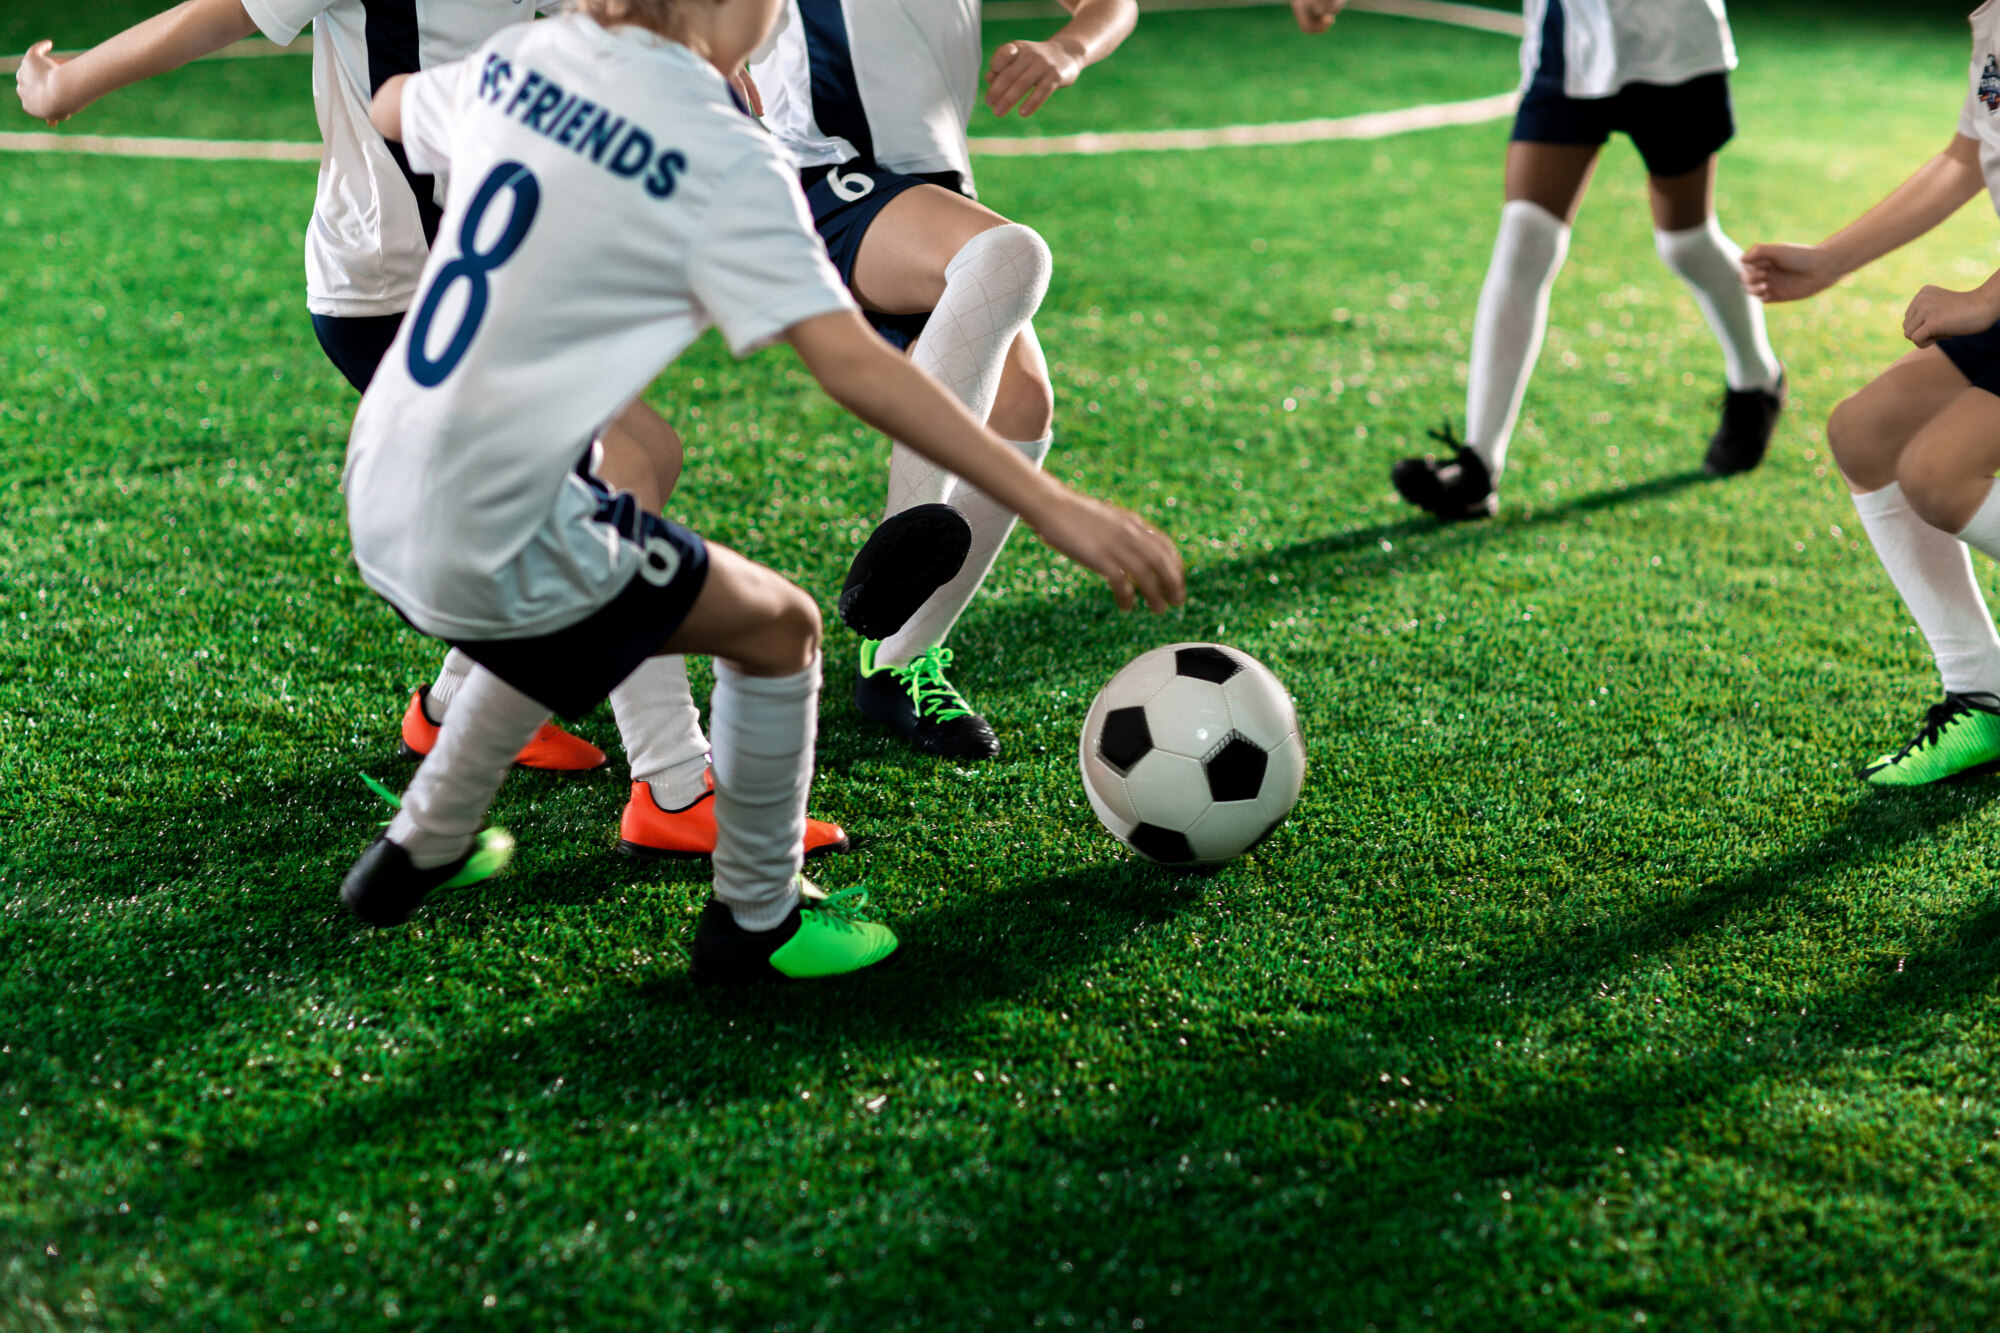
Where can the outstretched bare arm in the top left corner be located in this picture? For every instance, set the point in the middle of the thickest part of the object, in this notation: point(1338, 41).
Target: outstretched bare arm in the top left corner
point(55, 89)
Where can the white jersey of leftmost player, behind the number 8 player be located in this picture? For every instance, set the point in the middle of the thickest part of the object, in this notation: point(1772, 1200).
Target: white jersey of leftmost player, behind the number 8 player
point(365, 247)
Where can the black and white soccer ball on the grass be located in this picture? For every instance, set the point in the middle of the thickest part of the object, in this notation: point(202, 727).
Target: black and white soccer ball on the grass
point(1191, 756)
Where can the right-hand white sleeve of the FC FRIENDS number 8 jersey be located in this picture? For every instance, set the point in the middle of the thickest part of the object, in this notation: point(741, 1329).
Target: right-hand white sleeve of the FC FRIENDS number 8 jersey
point(759, 265)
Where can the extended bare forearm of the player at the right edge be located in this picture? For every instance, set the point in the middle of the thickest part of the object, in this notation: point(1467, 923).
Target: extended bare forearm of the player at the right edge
point(1921, 203)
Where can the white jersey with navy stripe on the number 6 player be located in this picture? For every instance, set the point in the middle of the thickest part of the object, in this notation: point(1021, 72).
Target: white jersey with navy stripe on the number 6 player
point(879, 81)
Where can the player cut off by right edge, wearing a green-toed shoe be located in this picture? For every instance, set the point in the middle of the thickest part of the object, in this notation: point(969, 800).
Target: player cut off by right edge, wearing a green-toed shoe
point(1921, 443)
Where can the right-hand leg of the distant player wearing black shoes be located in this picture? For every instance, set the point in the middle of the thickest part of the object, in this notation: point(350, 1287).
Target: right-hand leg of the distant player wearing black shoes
point(1691, 241)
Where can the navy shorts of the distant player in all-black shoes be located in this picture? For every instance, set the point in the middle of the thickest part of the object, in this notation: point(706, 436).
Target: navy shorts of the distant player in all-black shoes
point(1673, 127)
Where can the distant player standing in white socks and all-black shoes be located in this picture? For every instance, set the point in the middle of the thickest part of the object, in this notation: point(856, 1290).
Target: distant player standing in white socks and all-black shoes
point(1655, 71)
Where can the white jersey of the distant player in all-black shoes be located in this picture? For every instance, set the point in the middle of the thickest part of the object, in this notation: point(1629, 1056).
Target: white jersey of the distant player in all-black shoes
point(1613, 43)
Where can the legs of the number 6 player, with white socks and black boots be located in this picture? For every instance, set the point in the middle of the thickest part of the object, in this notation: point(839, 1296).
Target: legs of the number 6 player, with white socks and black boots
point(981, 279)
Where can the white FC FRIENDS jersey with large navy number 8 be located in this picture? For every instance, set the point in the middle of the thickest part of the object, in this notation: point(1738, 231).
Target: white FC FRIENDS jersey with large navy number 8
point(609, 203)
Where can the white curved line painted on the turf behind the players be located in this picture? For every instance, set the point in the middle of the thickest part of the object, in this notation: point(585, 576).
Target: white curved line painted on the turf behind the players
point(1369, 125)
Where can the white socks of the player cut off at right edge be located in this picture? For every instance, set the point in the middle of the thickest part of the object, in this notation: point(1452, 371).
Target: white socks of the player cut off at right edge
point(1933, 571)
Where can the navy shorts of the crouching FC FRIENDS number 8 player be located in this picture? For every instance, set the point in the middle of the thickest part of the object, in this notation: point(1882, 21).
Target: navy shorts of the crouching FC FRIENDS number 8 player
point(573, 670)
